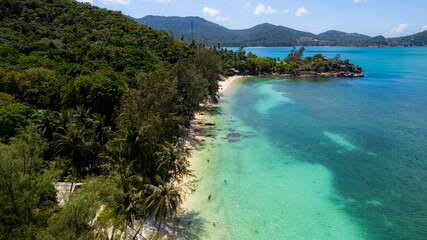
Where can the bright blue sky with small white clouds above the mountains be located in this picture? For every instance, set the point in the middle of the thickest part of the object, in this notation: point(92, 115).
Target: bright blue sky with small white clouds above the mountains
point(390, 18)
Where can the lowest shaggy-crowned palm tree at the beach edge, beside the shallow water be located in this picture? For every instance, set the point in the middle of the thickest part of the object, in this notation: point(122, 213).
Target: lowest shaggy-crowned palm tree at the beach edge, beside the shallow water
point(163, 199)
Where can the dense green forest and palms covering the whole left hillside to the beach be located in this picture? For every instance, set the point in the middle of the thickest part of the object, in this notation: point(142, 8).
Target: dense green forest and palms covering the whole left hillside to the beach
point(88, 95)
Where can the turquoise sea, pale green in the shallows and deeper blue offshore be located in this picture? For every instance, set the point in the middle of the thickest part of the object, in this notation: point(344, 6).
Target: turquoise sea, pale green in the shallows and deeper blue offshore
point(317, 158)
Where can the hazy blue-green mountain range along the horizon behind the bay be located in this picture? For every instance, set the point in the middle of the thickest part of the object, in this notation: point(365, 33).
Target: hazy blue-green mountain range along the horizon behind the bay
point(268, 35)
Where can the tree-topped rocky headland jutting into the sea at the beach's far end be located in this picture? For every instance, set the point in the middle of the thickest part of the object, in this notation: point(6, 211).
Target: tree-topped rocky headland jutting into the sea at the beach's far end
point(294, 65)
